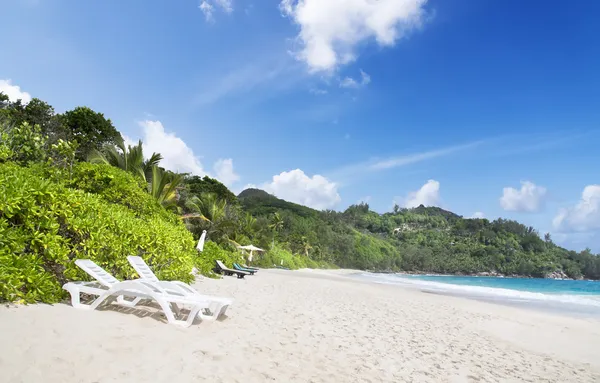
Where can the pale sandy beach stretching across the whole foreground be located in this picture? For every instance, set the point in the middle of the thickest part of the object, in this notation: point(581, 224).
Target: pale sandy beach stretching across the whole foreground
point(302, 326)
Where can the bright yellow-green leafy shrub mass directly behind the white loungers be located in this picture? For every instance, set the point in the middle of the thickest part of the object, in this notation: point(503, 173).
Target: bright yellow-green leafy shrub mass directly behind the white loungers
point(45, 227)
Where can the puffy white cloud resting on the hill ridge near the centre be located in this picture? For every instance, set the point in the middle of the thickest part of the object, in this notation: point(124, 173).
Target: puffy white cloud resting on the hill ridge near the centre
point(295, 186)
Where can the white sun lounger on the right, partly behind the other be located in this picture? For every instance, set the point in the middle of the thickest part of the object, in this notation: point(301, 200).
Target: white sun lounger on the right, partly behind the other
point(218, 305)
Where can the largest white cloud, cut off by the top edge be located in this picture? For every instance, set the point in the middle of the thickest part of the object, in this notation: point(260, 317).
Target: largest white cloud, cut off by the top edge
point(330, 30)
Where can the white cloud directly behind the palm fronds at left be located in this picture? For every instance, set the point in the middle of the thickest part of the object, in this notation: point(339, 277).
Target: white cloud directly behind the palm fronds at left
point(177, 155)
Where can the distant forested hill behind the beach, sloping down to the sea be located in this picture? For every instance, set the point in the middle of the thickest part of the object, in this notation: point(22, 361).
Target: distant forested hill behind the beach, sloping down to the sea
point(425, 239)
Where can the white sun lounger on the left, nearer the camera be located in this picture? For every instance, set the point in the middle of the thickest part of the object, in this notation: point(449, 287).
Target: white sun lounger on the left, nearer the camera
point(108, 288)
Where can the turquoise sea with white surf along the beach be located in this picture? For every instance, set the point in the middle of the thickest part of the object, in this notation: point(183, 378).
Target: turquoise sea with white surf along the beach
point(569, 297)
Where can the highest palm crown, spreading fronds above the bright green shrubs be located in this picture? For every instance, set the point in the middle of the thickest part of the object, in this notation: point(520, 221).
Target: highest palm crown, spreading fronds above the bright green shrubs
point(130, 159)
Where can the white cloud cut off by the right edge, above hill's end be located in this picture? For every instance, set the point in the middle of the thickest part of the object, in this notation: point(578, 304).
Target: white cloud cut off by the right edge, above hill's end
point(584, 216)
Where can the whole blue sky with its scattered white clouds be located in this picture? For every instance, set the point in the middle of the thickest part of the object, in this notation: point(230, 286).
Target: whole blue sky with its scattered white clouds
point(449, 103)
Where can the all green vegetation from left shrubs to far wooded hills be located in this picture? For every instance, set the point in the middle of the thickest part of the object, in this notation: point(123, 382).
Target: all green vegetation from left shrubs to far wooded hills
point(70, 188)
